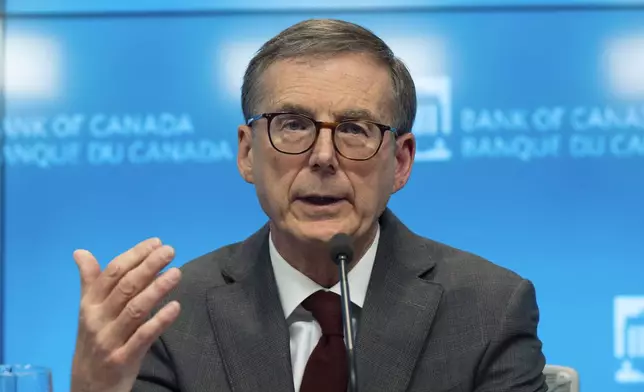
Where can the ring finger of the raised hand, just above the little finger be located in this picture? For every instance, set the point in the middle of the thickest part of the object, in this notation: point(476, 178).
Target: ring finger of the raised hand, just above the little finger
point(136, 312)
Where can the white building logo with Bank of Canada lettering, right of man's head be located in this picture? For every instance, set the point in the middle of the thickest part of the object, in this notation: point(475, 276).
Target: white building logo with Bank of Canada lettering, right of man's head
point(445, 130)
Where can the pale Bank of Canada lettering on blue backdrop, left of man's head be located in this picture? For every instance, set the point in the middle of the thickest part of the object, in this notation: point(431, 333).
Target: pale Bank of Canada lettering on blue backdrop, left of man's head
point(115, 139)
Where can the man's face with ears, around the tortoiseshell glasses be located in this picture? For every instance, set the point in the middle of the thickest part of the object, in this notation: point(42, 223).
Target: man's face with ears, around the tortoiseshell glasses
point(356, 192)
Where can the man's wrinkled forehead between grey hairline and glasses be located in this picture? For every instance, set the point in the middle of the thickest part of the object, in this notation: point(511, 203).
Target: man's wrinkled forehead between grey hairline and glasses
point(332, 88)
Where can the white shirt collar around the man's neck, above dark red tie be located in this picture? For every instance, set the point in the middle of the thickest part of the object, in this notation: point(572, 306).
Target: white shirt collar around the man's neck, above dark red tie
point(294, 287)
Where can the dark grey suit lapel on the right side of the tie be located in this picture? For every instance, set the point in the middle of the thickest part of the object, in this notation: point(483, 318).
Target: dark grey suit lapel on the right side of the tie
point(398, 311)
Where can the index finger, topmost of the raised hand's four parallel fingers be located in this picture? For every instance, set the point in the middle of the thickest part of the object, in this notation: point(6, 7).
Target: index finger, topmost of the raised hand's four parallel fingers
point(121, 265)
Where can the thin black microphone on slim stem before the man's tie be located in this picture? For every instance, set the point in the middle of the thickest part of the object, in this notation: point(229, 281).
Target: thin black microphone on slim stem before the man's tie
point(341, 251)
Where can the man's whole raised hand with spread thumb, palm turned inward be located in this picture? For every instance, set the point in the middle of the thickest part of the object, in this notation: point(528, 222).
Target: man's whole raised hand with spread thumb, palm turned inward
point(115, 330)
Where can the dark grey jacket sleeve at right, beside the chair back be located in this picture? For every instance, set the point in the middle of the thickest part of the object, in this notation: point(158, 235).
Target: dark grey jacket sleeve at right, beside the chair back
point(514, 361)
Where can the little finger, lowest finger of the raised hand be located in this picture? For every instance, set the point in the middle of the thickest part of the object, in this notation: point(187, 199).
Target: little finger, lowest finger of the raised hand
point(139, 343)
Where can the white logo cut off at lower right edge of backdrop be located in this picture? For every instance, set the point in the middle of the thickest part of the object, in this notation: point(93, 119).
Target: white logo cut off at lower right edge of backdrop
point(629, 339)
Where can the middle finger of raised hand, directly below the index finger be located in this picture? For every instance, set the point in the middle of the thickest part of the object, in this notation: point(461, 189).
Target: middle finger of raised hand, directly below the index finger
point(136, 280)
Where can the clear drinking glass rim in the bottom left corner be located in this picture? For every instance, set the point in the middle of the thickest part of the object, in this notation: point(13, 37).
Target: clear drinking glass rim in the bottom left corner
point(25, 378)
